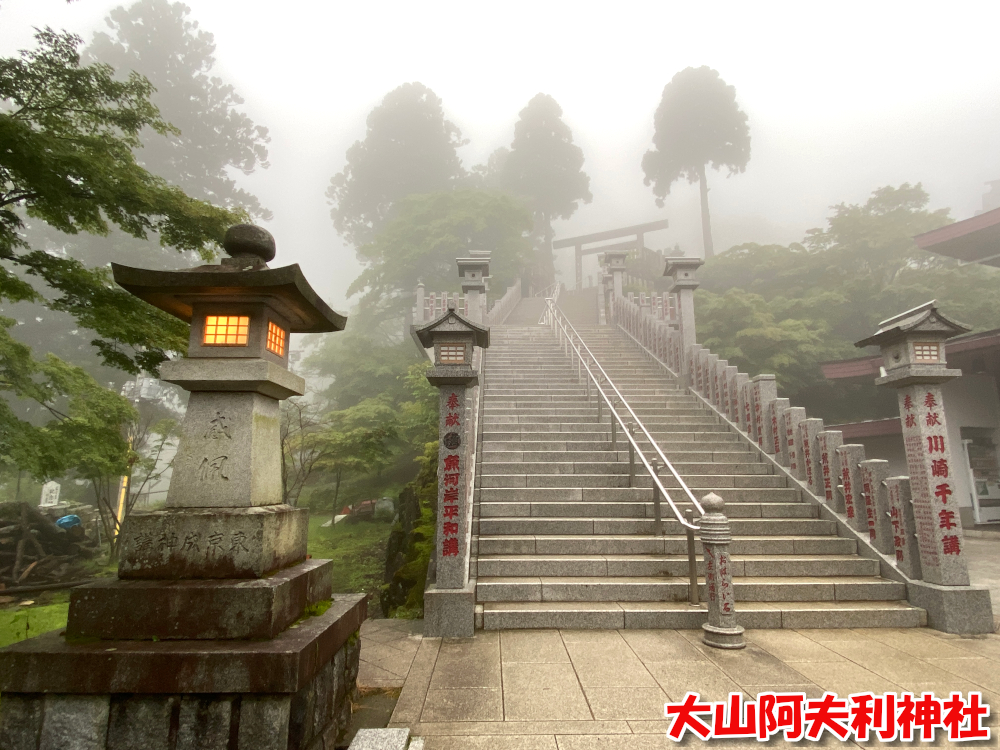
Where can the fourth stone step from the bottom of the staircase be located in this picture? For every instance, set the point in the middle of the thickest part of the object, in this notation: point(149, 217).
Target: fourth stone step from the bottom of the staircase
point(660, 545)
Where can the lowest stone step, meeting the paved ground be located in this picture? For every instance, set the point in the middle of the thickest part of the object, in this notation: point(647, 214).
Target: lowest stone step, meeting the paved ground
point(681, 615)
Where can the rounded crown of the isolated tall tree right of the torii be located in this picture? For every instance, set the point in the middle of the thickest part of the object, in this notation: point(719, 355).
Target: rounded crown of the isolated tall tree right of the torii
point(697, 123)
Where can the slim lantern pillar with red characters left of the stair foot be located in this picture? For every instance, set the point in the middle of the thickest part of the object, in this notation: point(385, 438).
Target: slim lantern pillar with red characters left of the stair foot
point(449, 604)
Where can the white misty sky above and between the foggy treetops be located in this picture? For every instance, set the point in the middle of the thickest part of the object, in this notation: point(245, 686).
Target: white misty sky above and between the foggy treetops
point(842, 98)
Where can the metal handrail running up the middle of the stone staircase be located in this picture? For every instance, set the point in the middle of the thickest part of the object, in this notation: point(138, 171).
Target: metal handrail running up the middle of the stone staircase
point(588, 370)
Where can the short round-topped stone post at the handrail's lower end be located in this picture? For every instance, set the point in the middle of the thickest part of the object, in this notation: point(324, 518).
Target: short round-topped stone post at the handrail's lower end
point(721, 630)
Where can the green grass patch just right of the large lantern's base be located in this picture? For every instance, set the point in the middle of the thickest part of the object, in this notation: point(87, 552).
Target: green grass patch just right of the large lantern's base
point(357, 551)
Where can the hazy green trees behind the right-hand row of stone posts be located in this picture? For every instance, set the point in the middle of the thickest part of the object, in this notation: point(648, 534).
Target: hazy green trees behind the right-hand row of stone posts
point(786, 309)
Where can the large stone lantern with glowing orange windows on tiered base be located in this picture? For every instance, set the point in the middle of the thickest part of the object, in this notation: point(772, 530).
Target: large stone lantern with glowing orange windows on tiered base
point(200, 626)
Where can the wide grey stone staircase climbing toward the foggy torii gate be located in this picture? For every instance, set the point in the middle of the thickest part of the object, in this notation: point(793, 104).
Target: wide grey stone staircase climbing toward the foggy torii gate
point(563, 541)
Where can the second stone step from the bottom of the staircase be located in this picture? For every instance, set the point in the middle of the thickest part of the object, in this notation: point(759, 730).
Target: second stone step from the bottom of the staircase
point(647, 589)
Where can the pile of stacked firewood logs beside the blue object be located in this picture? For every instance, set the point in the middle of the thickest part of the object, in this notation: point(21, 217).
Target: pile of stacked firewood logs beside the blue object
point(33, 550)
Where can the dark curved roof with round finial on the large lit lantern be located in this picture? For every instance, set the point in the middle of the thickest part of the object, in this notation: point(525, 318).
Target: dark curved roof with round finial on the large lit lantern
point(244, 277)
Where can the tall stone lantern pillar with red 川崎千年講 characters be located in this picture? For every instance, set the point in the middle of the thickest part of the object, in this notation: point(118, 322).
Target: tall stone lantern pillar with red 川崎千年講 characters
point(913, 355)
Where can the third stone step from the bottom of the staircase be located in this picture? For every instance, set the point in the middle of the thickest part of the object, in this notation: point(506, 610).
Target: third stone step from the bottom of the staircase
point(671, 566)
